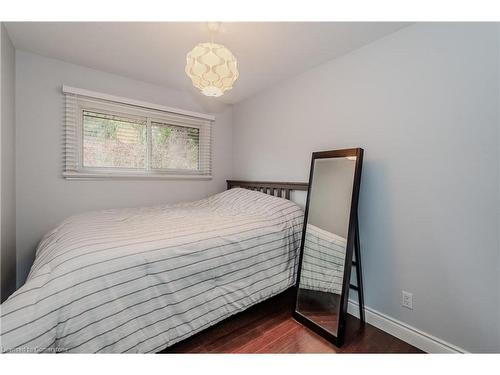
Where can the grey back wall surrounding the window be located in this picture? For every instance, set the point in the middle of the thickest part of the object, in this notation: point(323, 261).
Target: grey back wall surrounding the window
point(44, 198)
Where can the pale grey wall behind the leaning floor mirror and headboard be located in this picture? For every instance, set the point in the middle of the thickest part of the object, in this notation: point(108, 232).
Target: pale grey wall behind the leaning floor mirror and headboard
point(423, 102)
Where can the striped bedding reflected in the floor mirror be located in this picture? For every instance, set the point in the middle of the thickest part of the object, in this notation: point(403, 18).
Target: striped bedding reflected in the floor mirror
point(323, 261)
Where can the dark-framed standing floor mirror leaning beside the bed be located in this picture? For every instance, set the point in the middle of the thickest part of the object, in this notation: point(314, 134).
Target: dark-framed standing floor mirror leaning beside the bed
point(330, 247)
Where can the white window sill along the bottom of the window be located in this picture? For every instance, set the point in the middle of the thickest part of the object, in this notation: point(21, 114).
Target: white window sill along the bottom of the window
point(131, 176)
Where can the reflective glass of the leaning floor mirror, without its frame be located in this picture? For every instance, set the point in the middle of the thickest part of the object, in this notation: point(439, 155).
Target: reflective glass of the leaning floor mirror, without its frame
point(322, 268)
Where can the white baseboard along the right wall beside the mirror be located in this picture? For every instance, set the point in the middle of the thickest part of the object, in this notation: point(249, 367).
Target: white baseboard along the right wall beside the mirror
point(403, 331)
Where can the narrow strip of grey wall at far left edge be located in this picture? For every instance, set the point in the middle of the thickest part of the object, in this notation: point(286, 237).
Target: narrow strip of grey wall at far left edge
point(7, 166)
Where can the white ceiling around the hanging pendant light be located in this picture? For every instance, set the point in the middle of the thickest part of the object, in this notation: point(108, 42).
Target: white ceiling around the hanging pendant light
point(267, 52)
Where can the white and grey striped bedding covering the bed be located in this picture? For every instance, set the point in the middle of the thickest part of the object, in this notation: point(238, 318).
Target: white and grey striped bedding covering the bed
point(138, 280)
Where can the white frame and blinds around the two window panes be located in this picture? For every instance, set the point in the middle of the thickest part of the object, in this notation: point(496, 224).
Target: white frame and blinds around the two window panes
point(145, 112)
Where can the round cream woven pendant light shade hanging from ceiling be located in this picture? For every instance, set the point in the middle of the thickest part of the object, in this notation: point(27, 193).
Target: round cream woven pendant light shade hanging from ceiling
point(212, 68)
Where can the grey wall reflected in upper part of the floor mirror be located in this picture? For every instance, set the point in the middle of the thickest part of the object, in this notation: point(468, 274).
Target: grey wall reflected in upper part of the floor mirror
point(331, 193)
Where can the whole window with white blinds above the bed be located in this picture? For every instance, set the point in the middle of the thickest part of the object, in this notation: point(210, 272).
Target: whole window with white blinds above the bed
point(110, 137)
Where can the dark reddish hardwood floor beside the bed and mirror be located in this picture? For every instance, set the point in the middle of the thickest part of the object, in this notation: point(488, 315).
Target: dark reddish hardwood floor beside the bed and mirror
point(270, 328)
